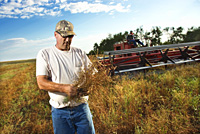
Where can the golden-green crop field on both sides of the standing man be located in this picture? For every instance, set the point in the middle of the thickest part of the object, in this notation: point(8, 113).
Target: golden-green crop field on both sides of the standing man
point(160, 103)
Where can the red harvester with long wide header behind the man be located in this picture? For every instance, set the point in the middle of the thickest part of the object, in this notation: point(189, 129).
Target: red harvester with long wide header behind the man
point(125, 58)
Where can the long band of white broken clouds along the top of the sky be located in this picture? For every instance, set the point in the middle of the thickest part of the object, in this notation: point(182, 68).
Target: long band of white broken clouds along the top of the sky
point(30, 8)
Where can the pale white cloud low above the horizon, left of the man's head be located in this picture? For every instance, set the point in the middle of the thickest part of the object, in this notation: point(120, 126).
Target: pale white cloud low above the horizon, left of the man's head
point(21, 48)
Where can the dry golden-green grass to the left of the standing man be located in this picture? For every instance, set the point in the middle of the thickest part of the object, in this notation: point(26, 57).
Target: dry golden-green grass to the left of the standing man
point(24, 108)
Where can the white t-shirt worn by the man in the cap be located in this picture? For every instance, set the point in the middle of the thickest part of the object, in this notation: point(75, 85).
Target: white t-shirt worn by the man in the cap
point(62, 67)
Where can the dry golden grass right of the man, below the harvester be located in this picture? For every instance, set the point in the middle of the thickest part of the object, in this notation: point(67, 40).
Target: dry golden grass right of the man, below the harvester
point(158, 103)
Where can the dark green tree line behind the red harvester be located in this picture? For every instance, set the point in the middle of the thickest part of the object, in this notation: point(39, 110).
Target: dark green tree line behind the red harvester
point(151, 38)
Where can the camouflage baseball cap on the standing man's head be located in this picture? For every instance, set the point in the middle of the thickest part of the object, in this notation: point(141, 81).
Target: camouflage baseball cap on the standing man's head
point(65, 28)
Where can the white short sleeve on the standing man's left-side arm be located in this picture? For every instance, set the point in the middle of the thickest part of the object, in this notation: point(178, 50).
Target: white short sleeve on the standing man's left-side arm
point(41, 64)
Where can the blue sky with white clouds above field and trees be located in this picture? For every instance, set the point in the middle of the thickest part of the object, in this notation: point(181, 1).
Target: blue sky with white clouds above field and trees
point(26, 26)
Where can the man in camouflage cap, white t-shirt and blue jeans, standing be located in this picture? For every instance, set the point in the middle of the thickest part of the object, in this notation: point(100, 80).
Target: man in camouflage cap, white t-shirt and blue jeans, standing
point(57, 68)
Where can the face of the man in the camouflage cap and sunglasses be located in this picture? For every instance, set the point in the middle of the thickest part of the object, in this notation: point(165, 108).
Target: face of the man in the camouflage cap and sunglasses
point(63, 43)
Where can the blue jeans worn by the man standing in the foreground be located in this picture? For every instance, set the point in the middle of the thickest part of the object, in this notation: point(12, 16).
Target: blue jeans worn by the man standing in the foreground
point(71, 120)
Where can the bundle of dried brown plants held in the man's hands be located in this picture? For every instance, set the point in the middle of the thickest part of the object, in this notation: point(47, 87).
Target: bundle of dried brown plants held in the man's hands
point(92, 78)
